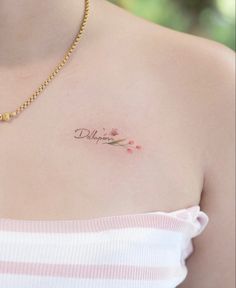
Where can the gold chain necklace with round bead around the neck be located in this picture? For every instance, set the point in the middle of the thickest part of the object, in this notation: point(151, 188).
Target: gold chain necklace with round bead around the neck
point(7, 116)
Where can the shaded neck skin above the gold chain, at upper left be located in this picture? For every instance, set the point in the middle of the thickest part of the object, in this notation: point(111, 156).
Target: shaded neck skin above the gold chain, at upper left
point(37, 29)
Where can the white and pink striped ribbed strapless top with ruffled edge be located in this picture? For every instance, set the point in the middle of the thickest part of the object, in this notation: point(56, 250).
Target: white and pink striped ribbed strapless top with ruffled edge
point(146, 250)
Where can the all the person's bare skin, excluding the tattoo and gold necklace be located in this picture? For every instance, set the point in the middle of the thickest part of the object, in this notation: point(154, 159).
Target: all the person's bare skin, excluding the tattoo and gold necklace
point(170, 92)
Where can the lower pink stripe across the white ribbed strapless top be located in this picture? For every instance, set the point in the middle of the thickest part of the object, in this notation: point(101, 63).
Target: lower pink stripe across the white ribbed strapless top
point(91, 271)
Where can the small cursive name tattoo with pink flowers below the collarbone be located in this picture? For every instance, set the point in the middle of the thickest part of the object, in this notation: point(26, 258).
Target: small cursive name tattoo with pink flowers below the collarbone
point(109, 138)
